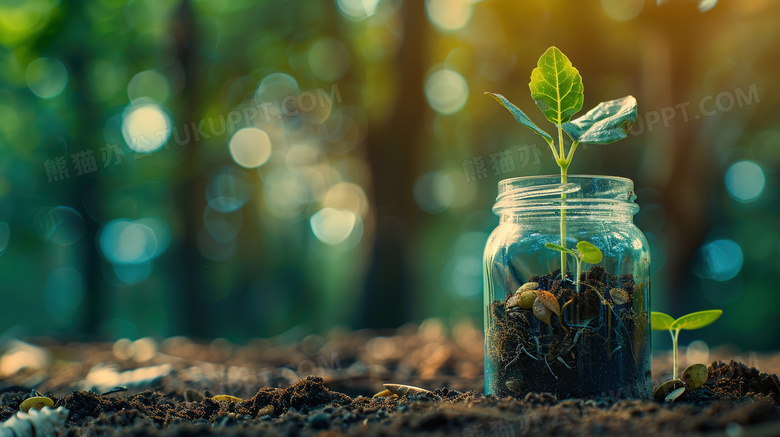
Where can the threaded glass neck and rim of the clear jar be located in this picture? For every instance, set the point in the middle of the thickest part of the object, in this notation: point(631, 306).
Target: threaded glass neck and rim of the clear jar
point(588, 194)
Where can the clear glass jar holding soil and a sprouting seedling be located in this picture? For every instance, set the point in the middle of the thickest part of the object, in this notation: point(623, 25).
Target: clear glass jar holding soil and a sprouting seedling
point(544, 333)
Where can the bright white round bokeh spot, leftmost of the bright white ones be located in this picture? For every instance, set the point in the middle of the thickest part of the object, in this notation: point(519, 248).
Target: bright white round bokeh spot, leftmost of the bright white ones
point(146, 127)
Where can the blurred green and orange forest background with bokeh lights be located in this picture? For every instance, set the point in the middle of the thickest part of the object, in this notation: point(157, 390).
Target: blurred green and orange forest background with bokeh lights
point(259, 168)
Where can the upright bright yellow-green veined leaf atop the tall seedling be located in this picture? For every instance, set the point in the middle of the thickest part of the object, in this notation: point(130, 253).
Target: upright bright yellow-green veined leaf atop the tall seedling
point(556, 86)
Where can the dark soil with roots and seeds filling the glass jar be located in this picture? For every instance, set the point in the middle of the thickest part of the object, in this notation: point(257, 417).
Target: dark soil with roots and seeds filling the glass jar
point(597, 346)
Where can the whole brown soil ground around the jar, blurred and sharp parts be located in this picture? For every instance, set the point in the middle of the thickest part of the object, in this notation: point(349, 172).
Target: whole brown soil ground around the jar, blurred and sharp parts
point(270, 376)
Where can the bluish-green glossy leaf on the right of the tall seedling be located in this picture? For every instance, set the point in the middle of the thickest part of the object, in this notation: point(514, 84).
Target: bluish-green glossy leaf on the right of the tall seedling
point(604, 124)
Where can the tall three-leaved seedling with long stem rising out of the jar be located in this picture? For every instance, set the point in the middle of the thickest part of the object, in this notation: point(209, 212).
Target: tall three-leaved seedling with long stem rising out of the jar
point(556, 86)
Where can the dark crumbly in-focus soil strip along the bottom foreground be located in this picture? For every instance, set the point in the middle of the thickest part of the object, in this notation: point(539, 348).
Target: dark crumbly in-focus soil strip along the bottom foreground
point(735, 399)
